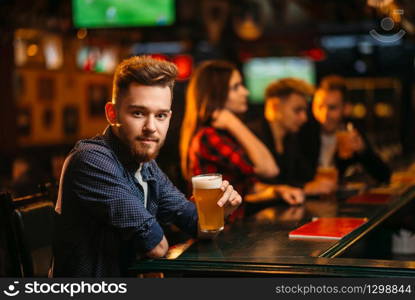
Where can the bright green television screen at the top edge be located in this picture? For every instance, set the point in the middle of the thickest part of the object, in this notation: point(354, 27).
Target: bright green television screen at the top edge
point(125, 13)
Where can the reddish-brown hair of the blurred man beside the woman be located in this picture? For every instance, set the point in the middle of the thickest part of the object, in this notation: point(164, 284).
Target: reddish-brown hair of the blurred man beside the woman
point(283, 88)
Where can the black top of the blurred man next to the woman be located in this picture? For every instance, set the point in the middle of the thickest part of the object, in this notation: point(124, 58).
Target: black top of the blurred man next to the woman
point(294, 168)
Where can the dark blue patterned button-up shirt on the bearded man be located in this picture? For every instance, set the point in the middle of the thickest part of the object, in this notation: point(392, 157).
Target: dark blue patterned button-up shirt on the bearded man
point(103, 223)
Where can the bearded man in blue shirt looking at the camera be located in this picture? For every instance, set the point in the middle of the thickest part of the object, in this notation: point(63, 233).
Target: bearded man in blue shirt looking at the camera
point(112, 195)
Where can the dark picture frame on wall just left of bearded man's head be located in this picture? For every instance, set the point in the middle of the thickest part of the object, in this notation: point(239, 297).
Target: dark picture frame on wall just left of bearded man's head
point(97, 94)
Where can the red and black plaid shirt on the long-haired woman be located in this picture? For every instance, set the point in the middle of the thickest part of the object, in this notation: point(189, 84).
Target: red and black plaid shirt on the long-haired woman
point(217, 151)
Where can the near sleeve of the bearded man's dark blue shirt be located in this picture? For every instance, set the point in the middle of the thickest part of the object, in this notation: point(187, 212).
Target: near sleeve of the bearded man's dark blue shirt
point(95, 180)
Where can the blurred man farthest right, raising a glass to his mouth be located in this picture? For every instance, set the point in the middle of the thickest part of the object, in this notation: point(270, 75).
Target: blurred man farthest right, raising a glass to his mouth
point(329, 139)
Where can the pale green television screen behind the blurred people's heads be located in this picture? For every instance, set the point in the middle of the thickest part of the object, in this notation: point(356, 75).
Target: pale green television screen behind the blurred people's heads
point(261, 71)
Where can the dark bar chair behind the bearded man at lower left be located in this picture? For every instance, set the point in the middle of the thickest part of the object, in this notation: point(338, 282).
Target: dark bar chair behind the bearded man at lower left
point(28, 229)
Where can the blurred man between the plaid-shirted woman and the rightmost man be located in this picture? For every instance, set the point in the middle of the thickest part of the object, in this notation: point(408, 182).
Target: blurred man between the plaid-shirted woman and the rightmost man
point(285, 112)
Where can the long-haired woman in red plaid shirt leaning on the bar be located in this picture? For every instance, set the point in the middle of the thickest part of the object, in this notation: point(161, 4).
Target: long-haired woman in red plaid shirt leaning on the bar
point(215, 140)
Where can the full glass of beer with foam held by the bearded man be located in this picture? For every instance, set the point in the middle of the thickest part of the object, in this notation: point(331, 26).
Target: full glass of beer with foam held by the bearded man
point(207, 192)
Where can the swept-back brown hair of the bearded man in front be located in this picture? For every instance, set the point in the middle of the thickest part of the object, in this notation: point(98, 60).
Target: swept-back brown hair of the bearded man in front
point(143, 70)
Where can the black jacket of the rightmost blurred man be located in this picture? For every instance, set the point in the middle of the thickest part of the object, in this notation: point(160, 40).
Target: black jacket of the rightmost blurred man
point(310, 138)
